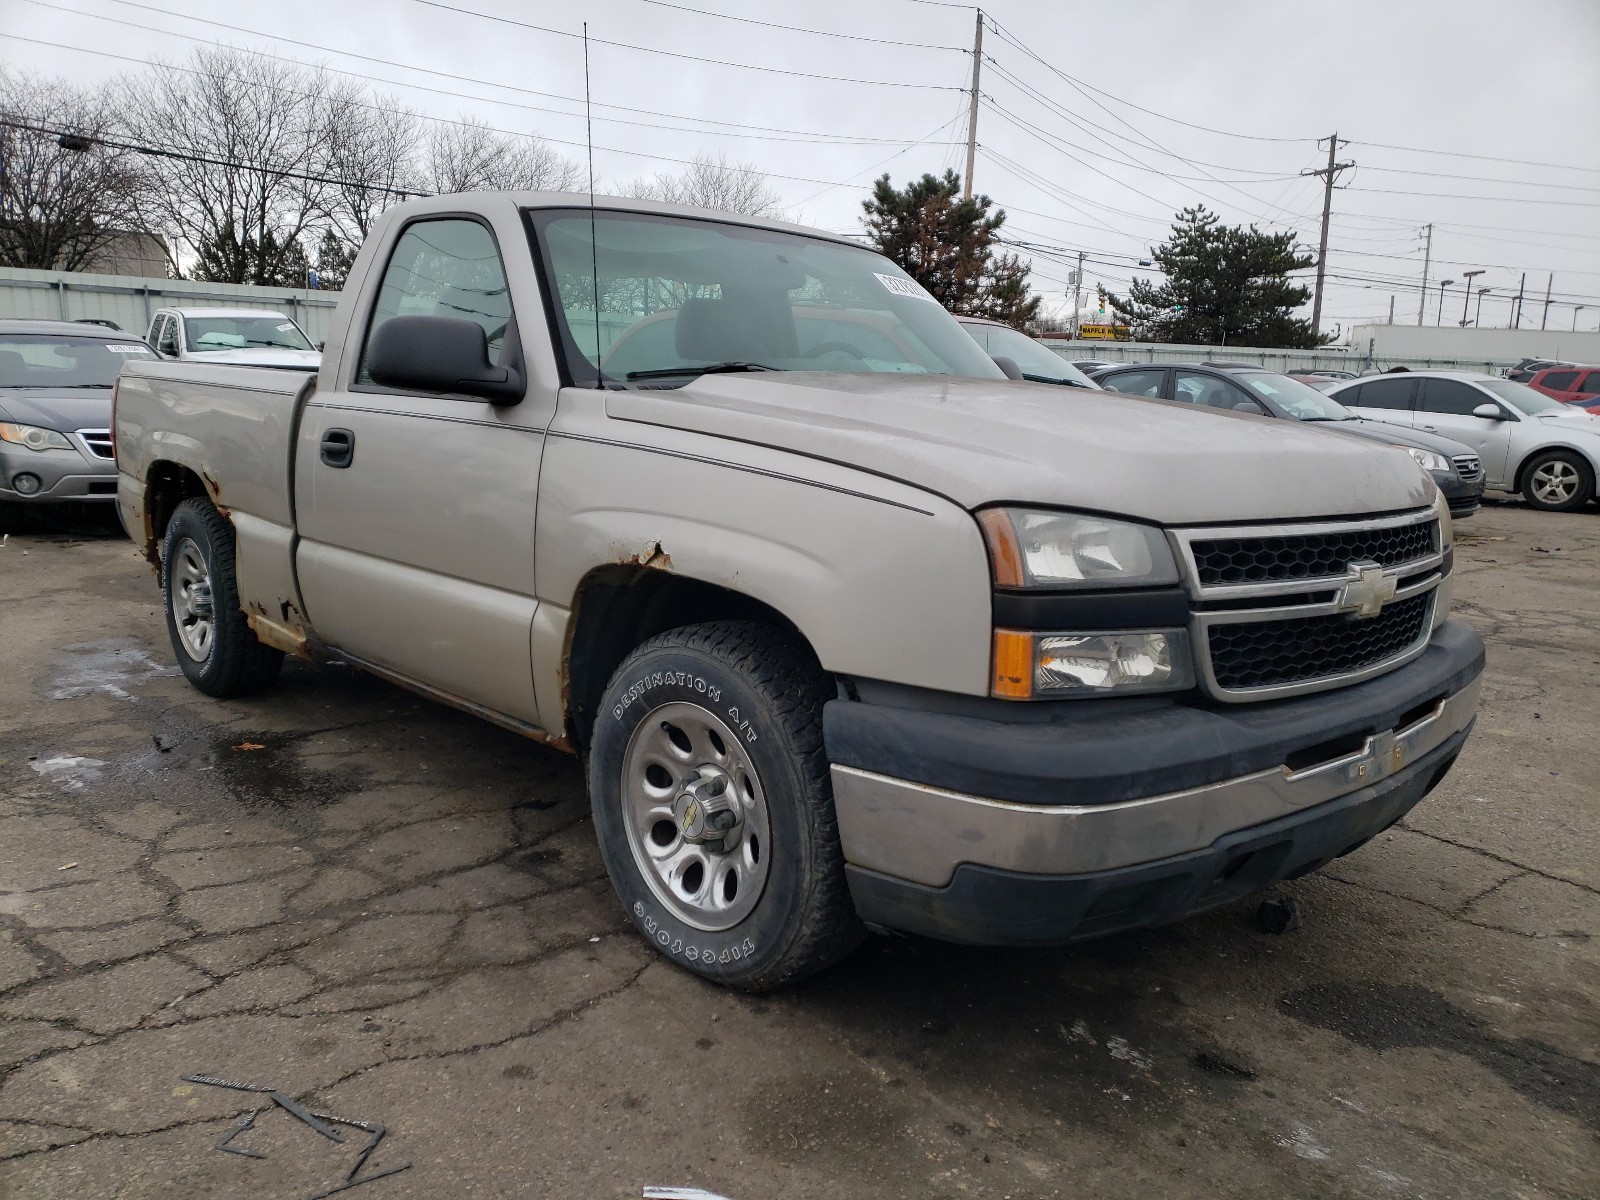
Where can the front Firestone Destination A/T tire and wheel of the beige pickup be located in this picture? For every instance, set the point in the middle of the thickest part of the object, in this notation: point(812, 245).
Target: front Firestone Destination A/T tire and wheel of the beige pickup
point(714, 809)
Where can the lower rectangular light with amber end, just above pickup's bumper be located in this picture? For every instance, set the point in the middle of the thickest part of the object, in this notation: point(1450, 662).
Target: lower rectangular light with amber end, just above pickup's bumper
point(1042, 666)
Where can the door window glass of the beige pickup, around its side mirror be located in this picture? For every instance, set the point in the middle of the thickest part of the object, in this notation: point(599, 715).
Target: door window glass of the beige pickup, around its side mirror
point(447, 268)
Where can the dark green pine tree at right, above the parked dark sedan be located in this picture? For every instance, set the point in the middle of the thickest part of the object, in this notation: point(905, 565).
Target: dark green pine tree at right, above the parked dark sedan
point(1225, 286)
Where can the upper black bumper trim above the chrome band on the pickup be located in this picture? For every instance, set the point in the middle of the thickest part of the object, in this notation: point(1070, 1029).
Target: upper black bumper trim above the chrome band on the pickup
point(1098, 753)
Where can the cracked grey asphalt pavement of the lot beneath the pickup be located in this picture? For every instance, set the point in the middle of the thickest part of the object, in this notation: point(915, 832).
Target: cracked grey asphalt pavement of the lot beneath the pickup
point(394, 913)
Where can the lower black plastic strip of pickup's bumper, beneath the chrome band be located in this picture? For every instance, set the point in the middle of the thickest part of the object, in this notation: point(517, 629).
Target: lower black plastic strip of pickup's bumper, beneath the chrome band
point(986, 906)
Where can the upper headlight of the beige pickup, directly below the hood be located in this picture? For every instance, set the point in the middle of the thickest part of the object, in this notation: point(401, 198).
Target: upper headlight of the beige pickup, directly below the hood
point(1034, 548)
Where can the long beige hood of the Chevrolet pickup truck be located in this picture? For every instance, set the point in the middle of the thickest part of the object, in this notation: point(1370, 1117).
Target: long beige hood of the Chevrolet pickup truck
point(986, 441)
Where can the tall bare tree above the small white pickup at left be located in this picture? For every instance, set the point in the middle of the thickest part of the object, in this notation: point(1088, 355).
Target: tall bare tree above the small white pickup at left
point(247, 140)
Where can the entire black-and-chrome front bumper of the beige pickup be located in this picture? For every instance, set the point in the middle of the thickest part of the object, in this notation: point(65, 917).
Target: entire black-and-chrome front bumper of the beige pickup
point(980, 831)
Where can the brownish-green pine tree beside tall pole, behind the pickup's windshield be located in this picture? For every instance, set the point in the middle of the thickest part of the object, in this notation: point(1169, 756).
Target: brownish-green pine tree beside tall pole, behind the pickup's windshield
point(946, 244)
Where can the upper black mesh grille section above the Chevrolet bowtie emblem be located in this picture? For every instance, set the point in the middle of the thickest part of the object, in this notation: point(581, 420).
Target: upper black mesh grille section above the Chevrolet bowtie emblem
point(1308, 556)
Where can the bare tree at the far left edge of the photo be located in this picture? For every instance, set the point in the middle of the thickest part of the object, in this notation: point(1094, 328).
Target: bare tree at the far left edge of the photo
point(63, 199)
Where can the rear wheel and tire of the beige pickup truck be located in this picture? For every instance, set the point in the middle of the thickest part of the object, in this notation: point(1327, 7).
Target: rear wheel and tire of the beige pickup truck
point(214, 642)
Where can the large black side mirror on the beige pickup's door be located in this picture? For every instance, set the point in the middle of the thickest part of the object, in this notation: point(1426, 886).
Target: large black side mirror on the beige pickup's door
point(441, 354)
